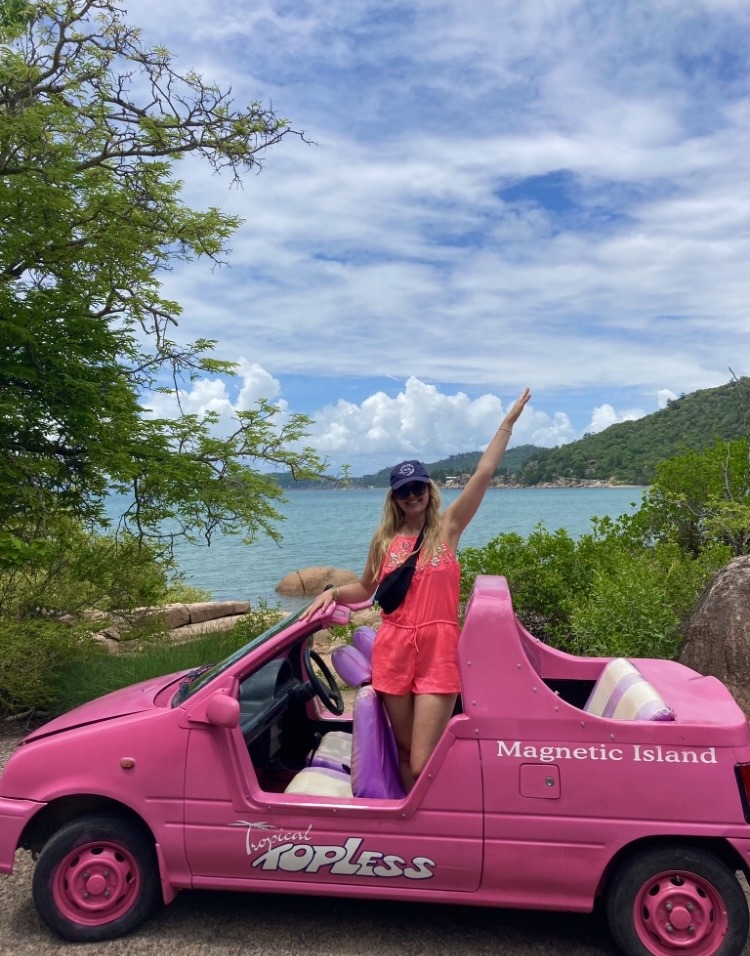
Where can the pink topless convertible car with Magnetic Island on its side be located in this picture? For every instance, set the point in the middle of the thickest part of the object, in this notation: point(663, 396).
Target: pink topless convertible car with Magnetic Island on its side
point(560, 782)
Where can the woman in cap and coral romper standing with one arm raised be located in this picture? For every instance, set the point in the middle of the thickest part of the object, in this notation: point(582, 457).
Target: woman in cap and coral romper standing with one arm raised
point(415, 658)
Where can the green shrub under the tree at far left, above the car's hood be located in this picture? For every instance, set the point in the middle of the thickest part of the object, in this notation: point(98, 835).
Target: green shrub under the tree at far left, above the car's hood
point(45, 635)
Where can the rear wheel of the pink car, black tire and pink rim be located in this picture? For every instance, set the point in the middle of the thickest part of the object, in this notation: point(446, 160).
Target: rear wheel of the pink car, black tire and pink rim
point(677, 899)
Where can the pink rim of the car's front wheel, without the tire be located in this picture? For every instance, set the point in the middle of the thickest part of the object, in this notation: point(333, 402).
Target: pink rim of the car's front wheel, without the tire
point(96, 884)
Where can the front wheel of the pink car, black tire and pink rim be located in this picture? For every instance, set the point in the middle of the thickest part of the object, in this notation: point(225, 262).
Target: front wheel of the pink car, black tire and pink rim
point(96, 878)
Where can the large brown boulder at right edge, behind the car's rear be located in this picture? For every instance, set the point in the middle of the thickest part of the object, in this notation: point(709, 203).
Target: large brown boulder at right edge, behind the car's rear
point(717, 639)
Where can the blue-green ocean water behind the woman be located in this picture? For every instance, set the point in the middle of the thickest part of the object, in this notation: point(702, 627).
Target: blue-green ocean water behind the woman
point(333, 528)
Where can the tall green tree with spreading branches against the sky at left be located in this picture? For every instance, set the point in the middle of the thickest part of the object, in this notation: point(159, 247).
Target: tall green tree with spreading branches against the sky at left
point(92, 126)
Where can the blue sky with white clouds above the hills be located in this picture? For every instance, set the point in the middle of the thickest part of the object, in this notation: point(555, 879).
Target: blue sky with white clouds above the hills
point(496, 193)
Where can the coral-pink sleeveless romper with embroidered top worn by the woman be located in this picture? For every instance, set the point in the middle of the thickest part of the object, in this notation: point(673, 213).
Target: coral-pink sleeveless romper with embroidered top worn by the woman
point(416, 649)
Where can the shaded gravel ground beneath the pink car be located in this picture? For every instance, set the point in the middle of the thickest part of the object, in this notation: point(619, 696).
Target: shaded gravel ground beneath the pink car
point(242, 924)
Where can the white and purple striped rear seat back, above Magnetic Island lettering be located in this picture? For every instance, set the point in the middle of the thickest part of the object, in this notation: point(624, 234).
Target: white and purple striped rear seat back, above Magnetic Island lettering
point(623, 693)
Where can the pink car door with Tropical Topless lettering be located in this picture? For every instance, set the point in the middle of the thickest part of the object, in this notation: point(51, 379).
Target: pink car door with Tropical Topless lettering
point(238, 835)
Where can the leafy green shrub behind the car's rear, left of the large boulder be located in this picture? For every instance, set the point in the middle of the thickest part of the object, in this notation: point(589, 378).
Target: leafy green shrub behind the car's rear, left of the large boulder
point(606, 594)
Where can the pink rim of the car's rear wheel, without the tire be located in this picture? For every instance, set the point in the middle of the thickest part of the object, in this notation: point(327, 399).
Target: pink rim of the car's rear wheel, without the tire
point(678, 912)
